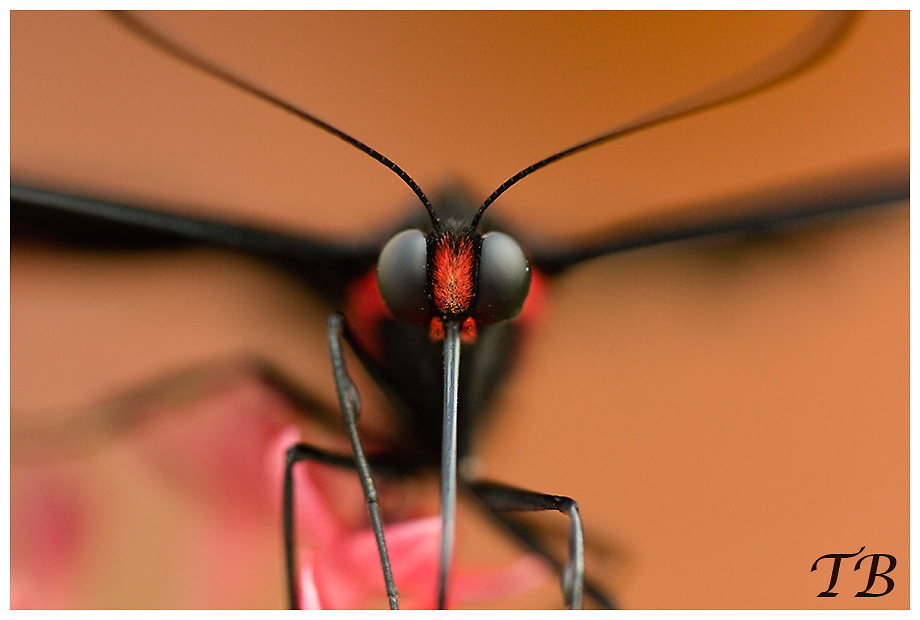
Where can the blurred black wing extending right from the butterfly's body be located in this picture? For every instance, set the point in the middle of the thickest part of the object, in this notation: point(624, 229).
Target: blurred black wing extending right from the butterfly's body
point(764, 212)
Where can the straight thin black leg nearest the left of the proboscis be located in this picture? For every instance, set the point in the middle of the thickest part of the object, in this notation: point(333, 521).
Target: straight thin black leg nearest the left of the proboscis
point(350, 403)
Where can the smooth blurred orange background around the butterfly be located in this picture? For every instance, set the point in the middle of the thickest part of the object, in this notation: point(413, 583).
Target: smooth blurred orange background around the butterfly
point(723, 413)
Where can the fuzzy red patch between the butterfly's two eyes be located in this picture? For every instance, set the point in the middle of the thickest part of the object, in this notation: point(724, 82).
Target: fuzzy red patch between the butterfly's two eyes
point(453, 274)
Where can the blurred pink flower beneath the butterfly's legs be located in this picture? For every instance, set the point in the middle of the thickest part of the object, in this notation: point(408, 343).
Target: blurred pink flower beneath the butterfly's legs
point(218, 440)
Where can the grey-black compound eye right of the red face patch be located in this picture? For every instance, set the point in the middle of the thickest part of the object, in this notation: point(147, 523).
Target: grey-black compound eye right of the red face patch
point(504, 279)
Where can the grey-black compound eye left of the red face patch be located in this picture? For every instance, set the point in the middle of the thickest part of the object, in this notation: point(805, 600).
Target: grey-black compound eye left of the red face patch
point(402, 276)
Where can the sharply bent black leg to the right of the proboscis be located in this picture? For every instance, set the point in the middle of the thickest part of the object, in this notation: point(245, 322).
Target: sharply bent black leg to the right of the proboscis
point(500, 498)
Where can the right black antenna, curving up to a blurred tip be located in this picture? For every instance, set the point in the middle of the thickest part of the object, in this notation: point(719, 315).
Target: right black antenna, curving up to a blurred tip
point(798, 55)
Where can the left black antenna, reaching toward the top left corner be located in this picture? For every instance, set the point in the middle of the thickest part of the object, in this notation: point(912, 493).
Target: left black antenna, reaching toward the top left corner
point(186, 56)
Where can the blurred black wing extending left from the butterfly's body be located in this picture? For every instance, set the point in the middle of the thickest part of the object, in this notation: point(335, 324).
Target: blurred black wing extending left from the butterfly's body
point(100, 225)
